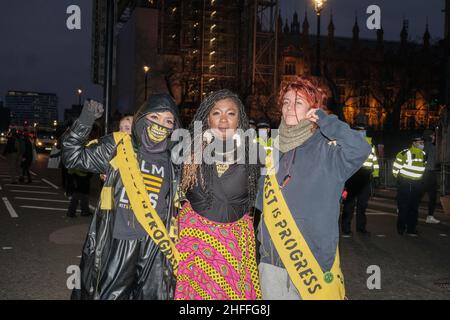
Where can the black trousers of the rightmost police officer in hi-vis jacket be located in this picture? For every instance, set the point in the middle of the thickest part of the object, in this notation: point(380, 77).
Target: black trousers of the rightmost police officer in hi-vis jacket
point(408, 200)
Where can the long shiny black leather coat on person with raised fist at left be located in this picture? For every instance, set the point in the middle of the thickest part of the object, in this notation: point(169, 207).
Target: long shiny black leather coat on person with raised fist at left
point(96, 158)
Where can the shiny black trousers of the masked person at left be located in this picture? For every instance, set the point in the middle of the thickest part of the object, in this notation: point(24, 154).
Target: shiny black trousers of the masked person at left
point(135, 270)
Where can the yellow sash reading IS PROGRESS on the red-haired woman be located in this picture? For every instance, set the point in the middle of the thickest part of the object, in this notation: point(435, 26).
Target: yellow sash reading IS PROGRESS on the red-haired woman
point(303, 269)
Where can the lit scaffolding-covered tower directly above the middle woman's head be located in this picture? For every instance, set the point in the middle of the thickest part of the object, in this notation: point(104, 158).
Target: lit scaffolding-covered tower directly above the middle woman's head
point(206, 34)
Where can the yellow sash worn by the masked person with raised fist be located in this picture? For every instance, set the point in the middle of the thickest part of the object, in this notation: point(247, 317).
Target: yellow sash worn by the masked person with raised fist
point(133, 182)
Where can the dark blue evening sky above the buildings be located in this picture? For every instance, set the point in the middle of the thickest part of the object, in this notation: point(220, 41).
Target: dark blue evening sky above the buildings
point(38, 52)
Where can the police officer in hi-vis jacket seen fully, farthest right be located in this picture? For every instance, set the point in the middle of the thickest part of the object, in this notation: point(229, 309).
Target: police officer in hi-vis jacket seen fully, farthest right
point(408, 169)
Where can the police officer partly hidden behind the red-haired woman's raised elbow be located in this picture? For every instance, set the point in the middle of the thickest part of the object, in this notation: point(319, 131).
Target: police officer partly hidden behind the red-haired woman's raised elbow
point(358, 191)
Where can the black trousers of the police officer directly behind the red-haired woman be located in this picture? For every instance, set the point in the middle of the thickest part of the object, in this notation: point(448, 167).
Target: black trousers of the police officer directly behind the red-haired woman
point(356, 196)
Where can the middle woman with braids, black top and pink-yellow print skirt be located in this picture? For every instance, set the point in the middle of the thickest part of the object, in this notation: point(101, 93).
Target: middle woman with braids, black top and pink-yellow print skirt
point(216, 237)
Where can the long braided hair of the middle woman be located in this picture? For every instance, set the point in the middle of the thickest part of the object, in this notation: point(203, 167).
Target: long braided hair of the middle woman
point(194, 174)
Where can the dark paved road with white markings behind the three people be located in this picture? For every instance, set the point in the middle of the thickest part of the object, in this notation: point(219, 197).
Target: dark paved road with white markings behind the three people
point(38, 243)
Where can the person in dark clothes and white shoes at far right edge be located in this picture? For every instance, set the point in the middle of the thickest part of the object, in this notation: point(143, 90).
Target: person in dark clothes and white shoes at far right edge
point(430, 176)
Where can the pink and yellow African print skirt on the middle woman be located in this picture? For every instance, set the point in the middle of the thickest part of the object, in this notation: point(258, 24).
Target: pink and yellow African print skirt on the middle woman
point(218, 260)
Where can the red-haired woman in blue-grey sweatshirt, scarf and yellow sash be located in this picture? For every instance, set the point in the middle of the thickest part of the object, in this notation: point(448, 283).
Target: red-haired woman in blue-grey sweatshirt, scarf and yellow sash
point(299, 196)
